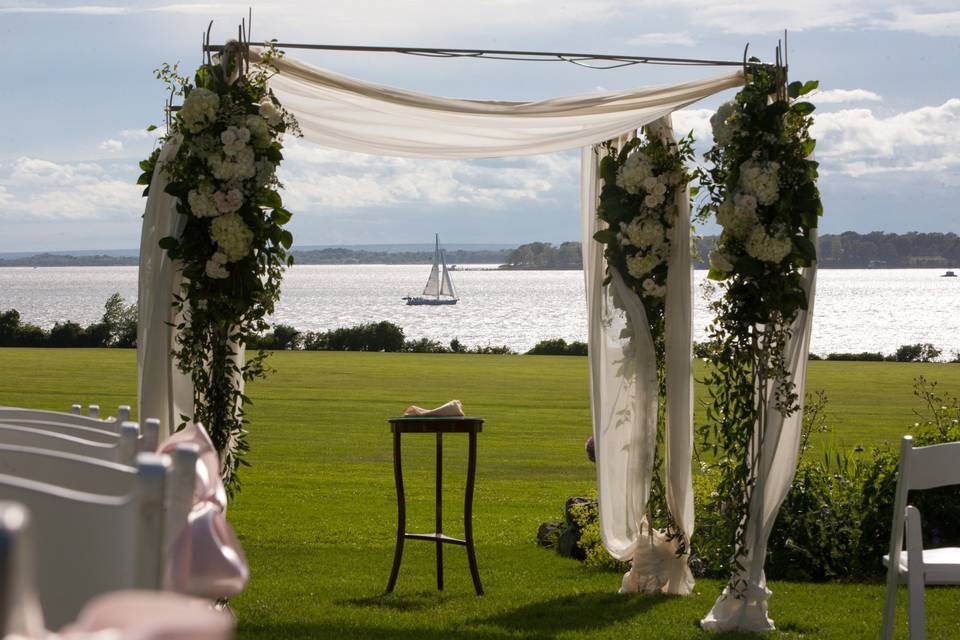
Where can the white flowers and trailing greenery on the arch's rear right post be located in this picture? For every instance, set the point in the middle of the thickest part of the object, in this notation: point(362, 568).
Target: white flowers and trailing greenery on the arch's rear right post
point(638, 204)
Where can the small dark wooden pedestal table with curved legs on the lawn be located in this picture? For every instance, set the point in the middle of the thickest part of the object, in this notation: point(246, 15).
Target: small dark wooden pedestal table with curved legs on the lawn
point(439, 426)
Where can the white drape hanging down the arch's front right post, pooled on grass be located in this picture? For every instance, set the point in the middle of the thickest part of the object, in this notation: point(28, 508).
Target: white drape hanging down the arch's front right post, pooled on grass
point(777, 466)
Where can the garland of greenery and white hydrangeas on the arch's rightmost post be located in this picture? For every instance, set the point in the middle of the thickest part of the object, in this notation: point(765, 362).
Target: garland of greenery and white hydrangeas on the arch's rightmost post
point(762, 188)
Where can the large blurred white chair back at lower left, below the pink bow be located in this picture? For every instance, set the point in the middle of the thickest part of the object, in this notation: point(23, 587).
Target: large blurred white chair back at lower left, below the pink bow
point(89, 543)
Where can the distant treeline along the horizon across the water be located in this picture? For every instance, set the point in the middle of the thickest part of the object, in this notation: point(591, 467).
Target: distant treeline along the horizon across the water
point(848, 250)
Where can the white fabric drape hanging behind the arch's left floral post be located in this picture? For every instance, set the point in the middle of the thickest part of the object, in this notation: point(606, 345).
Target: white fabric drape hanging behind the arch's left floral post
point(163, 392)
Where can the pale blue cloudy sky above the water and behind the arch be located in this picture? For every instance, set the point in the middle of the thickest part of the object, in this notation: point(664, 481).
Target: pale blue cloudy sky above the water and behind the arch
point(77, 92)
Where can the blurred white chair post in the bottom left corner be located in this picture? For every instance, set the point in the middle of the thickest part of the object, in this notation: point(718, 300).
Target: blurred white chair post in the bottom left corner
point(20, 613)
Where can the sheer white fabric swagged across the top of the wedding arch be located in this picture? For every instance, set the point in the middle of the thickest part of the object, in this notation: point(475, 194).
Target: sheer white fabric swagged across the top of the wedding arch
point(349, 114)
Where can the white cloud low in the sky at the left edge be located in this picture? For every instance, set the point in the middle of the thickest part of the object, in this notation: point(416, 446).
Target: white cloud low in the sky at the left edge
point(41, 189)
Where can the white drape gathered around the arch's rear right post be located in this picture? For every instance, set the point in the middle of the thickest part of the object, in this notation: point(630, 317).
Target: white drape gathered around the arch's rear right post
point(624, 387)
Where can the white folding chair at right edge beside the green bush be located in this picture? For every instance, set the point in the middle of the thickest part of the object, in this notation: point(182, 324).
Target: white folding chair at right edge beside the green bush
point(920, 468)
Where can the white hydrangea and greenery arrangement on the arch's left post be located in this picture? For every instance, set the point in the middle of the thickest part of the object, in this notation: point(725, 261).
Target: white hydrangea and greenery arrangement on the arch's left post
point(233, 248)
